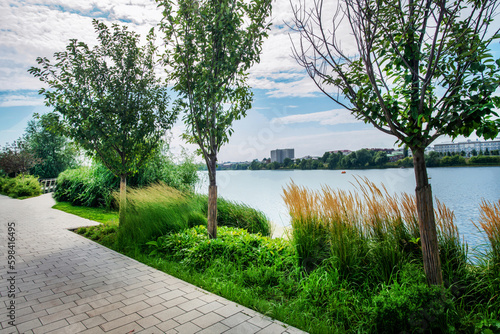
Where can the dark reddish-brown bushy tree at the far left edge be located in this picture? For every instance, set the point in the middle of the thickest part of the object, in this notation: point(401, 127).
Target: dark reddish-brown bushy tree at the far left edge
point(17, 158)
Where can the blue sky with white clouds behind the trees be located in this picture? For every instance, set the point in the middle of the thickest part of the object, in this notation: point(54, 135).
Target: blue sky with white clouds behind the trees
point(288, 110)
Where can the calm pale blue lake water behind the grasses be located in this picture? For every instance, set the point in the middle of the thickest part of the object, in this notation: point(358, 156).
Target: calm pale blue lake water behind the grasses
point(459, 188)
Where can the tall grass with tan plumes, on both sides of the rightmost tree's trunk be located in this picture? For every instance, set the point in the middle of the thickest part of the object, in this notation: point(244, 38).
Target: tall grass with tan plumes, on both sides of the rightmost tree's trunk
point(369, 229)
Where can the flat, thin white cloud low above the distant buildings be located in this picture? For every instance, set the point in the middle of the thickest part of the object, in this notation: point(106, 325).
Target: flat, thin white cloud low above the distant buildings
point(329, 117)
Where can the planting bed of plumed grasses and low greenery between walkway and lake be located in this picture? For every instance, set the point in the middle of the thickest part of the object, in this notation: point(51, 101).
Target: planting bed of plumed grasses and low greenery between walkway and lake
point(352, 262)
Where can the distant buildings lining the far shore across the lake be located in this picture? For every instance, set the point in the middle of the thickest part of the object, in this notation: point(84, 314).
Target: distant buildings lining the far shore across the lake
point(467, 149)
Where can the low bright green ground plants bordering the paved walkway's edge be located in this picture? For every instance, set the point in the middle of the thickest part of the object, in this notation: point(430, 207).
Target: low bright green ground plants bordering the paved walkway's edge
point(262, 273)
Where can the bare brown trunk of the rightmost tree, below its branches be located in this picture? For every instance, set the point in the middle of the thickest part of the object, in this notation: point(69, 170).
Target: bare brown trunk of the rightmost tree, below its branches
point(426, 221)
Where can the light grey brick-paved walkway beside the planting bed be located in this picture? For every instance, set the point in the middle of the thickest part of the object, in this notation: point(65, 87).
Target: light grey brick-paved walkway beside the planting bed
point(64, 283)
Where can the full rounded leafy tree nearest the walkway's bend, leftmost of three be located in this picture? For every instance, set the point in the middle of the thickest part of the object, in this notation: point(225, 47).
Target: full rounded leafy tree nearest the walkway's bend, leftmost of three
point(109, 98)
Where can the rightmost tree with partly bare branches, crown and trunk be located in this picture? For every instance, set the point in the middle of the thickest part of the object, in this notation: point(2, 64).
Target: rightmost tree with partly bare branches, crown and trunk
point(418, 70)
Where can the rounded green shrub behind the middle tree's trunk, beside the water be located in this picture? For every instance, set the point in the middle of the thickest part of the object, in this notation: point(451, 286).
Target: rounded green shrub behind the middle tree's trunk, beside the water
point(233, 214)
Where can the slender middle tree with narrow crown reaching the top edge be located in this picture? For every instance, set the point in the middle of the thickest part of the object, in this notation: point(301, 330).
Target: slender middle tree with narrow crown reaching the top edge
point(210, 47)
